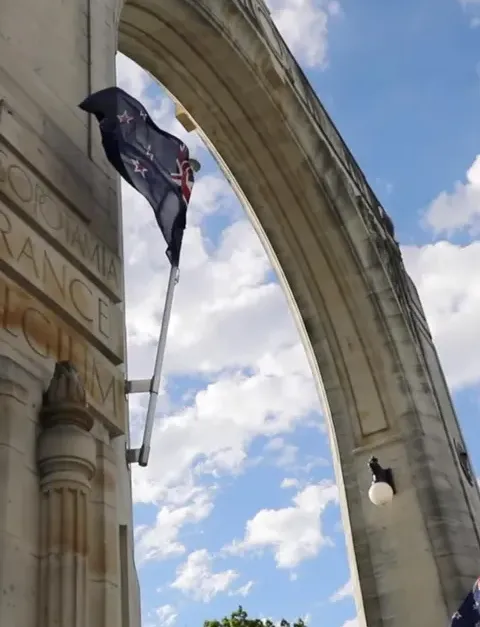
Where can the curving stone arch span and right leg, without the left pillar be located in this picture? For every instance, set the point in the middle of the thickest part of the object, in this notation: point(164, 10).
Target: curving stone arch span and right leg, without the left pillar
point(330, 244)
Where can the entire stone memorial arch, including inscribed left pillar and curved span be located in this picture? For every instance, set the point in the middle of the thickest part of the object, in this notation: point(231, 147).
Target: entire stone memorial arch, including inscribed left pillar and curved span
point(66, 554)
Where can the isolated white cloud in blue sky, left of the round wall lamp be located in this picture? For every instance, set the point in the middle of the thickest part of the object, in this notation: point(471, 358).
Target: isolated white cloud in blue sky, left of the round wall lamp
point(293, 533)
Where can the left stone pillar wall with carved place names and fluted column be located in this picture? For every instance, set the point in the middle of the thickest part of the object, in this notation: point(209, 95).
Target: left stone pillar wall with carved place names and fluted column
point(66, 541)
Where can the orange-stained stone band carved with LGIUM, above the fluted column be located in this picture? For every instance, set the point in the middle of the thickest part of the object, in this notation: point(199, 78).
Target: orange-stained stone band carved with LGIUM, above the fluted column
point(35, 331)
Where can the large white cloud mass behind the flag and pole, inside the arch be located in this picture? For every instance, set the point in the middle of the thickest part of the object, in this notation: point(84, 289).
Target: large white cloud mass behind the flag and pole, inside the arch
point(229, 324)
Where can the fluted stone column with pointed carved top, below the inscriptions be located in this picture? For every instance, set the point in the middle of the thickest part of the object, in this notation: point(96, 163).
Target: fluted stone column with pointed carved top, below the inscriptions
point(66, 459)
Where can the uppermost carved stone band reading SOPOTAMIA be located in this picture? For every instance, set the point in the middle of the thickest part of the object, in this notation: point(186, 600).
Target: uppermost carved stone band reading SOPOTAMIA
point(42, 206)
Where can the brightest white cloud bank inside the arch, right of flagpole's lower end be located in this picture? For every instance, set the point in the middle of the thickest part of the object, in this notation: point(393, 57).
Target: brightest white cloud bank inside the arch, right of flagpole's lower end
point(219, 427)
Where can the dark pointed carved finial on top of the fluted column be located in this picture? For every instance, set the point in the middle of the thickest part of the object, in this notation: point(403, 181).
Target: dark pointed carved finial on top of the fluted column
point(65, 399)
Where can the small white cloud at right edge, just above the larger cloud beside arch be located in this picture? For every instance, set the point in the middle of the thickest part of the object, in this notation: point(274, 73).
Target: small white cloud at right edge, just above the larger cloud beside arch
point(459, 209)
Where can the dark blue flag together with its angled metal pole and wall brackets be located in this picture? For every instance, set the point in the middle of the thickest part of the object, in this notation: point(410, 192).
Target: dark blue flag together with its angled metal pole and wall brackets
point(153, 162)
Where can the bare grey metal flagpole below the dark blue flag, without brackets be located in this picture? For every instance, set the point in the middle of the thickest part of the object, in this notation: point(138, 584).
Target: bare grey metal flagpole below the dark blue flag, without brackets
point(157, 370)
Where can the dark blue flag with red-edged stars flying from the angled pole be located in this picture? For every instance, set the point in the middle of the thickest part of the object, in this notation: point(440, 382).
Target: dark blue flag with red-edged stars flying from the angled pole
point(156, 163)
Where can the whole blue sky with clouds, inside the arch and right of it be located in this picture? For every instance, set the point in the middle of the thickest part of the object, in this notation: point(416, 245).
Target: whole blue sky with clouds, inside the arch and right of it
point(238, 504)
